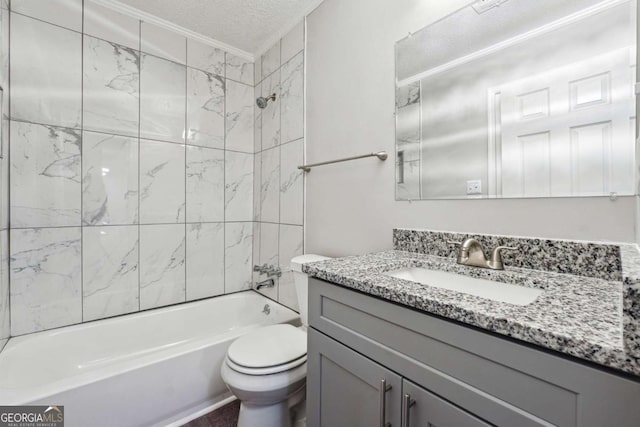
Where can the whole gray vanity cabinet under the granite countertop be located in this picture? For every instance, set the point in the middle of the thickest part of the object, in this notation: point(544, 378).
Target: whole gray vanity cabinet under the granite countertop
point(457, 375)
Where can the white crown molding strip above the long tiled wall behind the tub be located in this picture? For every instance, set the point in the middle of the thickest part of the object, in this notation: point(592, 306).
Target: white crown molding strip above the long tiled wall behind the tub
point(155, 20)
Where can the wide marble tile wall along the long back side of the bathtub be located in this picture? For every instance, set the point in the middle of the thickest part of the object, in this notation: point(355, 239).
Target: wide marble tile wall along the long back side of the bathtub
point(132, 166)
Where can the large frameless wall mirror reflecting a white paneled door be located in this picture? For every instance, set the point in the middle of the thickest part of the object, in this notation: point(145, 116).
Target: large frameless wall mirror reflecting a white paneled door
point(518, 98)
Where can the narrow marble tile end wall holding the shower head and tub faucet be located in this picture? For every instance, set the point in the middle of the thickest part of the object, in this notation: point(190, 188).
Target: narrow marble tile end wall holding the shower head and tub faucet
point(279, 145)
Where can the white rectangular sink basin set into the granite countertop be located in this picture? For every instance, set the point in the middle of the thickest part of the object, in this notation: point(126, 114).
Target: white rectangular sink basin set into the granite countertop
point(496, 291)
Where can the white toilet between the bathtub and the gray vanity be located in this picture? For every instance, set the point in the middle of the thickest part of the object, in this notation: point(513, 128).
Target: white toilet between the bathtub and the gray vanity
point(267, 368)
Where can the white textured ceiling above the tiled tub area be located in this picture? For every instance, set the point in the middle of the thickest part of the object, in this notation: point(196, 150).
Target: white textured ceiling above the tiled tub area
point(244, 24)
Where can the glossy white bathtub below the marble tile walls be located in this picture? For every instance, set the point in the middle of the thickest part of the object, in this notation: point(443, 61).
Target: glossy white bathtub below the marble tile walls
point(153, 368)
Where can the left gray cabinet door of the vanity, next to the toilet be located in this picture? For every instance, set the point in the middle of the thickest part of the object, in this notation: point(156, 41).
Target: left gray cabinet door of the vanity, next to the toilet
point(345, 389)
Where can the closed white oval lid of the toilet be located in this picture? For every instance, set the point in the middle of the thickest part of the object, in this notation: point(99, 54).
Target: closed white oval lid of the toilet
point(268, 346)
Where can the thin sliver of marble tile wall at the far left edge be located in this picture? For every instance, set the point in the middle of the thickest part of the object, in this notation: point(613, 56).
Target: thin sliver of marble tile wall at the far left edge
point(5, 317)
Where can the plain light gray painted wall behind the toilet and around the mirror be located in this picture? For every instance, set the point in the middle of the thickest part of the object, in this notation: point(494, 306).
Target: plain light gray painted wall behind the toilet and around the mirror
point(351, 207)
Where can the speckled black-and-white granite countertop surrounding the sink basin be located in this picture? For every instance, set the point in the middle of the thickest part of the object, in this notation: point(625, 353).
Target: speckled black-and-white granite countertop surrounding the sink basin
point(575, 315)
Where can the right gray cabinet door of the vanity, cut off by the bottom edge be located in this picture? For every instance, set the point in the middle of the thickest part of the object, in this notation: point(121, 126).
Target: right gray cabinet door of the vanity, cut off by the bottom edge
point(421, 408)
